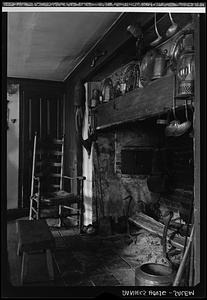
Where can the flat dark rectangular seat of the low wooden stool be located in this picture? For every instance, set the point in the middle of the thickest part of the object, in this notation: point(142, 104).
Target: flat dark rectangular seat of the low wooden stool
point(34, 235)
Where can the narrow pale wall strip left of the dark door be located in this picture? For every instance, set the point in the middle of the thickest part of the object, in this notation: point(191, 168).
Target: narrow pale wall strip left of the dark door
point(13, 148)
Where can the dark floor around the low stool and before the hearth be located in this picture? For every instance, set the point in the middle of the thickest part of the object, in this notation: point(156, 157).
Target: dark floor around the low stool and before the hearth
point(79, 261)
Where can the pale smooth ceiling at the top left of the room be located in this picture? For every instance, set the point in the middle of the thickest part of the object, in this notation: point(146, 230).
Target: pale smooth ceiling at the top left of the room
point(48, 45)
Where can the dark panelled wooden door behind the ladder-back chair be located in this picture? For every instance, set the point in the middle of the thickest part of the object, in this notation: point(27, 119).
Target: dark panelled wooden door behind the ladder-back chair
point(42, 111)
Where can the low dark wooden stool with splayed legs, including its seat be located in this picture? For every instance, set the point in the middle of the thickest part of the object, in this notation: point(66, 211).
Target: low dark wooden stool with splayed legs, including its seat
point(35, 235)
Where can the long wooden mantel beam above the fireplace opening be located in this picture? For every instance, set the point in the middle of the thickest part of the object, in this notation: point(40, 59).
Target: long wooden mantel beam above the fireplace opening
point(156, 98)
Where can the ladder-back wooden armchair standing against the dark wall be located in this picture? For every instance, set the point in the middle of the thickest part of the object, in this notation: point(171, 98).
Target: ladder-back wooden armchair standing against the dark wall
point(50, 197)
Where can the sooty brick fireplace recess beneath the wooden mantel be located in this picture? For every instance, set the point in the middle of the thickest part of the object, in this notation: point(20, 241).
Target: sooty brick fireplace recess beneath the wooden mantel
point(124, 163)
